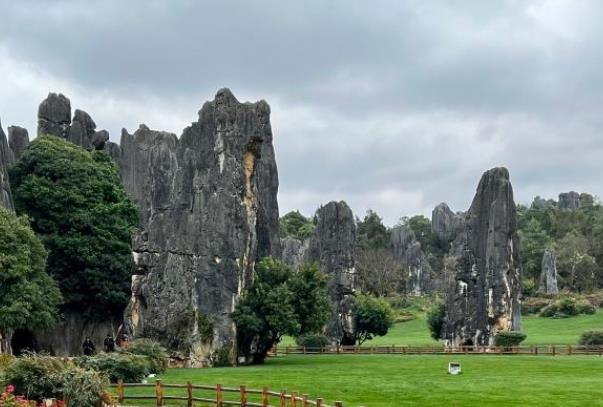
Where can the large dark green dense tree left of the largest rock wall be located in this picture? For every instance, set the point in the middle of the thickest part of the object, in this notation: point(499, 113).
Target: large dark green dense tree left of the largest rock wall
point(81, 212)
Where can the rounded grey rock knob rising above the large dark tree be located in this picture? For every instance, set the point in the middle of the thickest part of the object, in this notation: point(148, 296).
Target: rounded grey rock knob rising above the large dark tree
point(54, 116)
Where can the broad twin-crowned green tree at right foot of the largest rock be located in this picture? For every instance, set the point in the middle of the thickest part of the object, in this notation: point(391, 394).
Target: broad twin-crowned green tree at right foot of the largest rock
point(279, 302)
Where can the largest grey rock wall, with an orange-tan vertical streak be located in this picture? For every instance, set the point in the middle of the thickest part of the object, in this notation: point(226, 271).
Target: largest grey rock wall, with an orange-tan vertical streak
point(208, 213)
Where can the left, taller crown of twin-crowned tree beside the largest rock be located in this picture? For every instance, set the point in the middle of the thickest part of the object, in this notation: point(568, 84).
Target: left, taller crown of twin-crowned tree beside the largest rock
point(265, 311)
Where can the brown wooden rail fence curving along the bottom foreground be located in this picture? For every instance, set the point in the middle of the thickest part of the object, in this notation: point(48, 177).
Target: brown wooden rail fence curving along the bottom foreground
point(218, 395)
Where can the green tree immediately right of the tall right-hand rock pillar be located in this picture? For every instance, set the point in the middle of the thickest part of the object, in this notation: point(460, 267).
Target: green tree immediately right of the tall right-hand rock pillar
point(533, 241)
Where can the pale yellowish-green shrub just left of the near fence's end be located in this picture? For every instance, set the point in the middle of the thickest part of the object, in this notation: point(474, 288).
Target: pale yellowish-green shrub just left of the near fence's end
point(81, 387)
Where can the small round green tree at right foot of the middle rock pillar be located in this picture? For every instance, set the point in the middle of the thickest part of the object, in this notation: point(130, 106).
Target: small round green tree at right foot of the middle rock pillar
point(372, 317)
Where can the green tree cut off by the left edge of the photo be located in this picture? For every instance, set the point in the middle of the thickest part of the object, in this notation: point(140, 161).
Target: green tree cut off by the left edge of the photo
point(29, 297)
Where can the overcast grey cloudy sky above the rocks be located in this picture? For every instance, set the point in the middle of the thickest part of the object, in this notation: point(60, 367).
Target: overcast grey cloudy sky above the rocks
point(390, 105)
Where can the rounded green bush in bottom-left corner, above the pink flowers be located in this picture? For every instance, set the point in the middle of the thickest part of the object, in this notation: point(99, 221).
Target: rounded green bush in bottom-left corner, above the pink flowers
point(35, 376)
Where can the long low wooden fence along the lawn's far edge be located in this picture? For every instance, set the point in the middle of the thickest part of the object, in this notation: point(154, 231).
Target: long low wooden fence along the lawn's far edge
point(550, 350)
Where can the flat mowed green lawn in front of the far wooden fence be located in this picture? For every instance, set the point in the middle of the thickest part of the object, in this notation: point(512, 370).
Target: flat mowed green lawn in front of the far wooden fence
point(399, 380)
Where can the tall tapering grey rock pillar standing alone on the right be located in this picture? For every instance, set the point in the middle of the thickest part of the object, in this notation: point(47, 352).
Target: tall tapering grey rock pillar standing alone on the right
point(483, 298)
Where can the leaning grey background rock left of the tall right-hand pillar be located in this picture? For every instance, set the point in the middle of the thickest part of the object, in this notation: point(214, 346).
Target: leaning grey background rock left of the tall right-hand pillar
point(407, 249)
